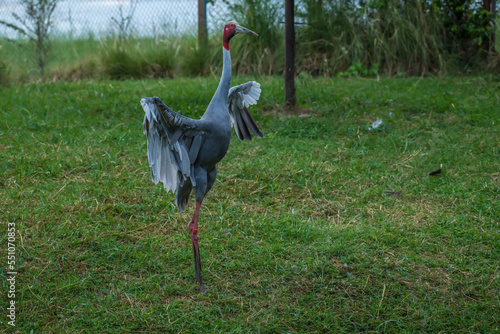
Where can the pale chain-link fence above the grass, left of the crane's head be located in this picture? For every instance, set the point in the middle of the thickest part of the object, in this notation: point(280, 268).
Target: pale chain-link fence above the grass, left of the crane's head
point(78, 18)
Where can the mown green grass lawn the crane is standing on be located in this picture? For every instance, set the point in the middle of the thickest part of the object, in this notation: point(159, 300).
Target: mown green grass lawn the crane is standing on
point(298, 233)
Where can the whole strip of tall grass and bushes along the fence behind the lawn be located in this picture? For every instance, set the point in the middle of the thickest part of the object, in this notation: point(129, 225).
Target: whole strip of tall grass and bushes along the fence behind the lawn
point(346, 38)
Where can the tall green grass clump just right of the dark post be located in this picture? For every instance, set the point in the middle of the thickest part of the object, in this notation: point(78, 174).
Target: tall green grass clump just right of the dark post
point(408, 39)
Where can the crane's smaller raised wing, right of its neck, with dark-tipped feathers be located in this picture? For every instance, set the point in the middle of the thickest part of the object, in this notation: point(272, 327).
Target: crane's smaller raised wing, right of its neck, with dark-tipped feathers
point(239, 98)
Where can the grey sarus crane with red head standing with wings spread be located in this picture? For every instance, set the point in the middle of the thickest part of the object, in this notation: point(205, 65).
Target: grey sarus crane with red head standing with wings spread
point(183, 152)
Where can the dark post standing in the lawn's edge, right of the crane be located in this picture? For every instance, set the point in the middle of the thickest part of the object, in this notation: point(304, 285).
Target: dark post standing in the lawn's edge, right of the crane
point(289, 54)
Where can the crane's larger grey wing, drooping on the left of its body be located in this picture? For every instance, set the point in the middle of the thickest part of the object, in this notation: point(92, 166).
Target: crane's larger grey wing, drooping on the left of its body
point(174, 142)
